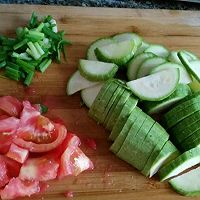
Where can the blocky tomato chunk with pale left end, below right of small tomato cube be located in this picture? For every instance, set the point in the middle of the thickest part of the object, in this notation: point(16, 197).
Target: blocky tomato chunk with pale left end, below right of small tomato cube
point(41, 169)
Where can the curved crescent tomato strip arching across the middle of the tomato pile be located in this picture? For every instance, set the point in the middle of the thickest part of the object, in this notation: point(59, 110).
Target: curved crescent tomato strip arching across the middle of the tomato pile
point(60, 131)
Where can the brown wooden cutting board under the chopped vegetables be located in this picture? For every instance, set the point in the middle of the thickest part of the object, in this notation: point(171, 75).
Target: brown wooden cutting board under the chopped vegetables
point(111, 178)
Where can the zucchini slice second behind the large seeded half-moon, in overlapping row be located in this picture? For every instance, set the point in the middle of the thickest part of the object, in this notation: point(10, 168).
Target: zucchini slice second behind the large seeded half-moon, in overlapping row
point(150, 63)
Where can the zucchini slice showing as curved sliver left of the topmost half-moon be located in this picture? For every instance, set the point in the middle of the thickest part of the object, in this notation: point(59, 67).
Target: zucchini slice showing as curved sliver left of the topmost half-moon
point(98, 43)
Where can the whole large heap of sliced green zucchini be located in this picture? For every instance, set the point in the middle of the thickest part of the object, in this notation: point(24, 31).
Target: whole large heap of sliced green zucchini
point(158, 82)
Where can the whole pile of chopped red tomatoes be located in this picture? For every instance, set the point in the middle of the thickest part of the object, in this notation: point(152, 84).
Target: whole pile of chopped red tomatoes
point(34, 149)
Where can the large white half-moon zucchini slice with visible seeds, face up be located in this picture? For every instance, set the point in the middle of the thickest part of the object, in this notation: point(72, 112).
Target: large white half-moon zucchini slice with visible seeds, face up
point(157, 86)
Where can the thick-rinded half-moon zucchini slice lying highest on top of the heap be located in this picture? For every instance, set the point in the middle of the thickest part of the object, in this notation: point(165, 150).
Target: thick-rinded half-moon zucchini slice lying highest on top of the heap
point(119, 52)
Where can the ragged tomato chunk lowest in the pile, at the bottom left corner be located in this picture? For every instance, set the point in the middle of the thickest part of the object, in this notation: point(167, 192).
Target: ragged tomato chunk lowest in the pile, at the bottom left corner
point(18, 188)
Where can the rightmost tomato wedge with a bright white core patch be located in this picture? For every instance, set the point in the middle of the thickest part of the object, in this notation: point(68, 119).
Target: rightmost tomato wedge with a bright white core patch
point(73, 161)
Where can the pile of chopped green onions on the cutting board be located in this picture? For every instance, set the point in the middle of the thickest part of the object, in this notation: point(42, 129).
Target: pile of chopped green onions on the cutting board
point(35, 47)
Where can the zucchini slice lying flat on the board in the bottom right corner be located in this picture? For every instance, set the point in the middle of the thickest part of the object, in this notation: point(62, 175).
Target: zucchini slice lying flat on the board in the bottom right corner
point(187, 184)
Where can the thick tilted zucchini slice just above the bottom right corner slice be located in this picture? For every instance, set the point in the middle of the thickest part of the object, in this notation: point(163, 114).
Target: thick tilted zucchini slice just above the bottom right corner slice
point(183, 162)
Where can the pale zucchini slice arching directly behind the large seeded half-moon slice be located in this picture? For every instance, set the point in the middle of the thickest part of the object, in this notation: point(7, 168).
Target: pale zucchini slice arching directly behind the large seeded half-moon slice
point(185, 77)
